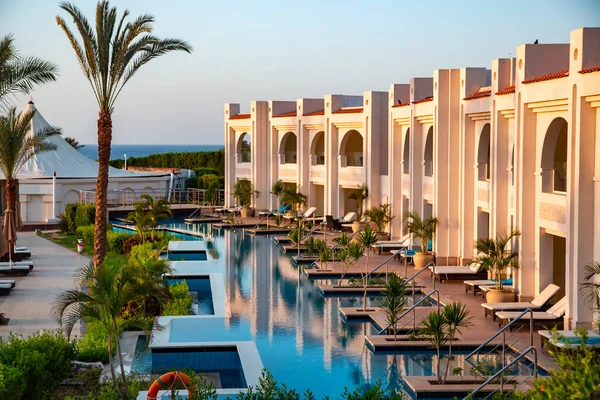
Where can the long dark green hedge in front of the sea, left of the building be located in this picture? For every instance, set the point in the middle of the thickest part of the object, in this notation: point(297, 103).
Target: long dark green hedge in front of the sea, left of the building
point(214, 160)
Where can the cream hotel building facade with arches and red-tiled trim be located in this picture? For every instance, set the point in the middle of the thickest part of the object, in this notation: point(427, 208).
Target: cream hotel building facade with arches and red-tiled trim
point(486, 150)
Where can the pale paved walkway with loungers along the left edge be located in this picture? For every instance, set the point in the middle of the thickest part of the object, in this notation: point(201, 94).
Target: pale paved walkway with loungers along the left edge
point(29, 304)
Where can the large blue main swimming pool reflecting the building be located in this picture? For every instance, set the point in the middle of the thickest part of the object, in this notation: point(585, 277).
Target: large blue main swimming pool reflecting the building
point(299, 334)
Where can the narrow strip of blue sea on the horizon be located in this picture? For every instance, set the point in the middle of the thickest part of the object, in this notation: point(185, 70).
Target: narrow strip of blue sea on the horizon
point(141, 150)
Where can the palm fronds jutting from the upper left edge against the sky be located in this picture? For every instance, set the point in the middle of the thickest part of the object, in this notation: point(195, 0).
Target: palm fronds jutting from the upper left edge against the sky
point(19, 74)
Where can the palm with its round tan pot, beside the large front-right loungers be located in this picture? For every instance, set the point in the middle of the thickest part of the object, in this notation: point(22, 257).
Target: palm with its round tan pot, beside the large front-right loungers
point(496, 256)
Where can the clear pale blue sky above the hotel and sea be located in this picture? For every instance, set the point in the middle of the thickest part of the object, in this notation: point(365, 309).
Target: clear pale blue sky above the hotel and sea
point(274, 50)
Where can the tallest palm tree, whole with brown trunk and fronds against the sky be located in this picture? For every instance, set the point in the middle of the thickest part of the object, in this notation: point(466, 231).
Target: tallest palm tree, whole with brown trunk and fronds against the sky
point(109, 57)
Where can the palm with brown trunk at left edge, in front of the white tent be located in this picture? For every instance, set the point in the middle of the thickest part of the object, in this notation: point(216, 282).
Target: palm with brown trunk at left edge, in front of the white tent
point(17, 146)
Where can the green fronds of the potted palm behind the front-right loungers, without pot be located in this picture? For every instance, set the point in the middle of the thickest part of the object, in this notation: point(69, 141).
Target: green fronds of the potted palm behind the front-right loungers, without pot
point(495, 255)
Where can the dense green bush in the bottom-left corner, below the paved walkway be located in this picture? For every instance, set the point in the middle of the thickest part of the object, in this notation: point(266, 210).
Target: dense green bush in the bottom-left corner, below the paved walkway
point(43, 358)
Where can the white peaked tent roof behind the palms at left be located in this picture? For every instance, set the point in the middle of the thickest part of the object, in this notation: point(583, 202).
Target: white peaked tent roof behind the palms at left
point(65, 161)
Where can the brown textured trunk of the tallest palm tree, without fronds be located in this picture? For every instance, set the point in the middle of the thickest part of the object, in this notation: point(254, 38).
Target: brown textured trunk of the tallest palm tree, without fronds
point(104, 140)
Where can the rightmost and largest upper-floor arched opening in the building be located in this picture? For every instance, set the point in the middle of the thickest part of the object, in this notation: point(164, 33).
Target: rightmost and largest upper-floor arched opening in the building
point(554, 157)
